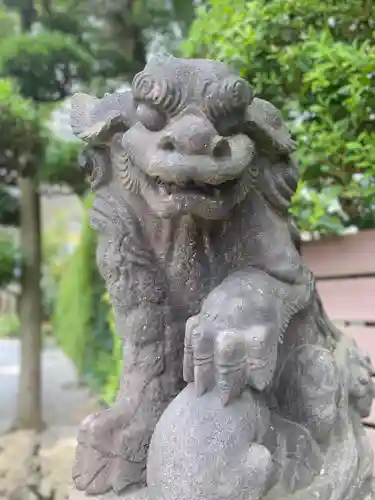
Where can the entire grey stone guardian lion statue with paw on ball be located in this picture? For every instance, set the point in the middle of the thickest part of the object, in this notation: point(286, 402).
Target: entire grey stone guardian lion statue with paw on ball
point(193, 179)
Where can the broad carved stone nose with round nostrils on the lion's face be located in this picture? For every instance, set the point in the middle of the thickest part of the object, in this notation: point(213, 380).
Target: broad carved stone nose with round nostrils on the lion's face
point(194, 136)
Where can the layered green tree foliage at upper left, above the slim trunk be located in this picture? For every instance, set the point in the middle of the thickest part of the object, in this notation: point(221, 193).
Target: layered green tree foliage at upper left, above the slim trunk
point(39, 69)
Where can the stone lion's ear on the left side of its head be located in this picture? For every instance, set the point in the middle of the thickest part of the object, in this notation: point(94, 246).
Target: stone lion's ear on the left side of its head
point(96, 121)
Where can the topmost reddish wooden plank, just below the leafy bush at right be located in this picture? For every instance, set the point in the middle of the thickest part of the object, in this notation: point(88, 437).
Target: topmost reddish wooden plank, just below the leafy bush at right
point(336, 256)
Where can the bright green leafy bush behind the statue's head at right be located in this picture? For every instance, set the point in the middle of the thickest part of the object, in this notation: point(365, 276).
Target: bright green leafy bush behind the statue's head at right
point(316, 61)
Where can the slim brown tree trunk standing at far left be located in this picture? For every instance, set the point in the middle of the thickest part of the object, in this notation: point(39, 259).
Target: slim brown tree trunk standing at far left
point(29, 411)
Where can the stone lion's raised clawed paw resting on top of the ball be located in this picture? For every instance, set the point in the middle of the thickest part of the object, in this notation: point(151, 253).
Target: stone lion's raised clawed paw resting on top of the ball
point(229, 358)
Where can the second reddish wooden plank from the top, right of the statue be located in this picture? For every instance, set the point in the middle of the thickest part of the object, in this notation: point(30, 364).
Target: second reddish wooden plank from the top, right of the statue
point(349, 299)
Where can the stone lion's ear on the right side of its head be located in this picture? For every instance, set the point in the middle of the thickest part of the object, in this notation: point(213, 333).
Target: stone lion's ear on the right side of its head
point(264, 124)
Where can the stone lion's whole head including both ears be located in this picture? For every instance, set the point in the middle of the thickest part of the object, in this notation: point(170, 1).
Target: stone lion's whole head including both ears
point(187, 138)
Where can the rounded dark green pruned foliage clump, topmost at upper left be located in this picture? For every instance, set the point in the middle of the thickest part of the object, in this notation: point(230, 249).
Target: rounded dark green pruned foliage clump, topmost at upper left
point(45, 64)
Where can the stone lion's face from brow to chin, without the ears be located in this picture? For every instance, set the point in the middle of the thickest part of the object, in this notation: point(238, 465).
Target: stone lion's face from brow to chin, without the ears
point(187, 153)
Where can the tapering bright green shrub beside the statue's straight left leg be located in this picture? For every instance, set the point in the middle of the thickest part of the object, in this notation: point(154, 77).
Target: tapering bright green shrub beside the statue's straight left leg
point(81, 314)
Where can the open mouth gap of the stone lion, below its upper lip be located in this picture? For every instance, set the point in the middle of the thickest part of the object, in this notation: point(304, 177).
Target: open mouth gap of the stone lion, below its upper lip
point(194, 187)
